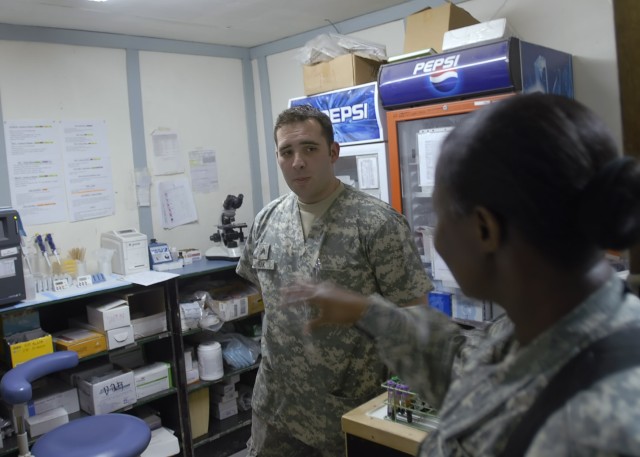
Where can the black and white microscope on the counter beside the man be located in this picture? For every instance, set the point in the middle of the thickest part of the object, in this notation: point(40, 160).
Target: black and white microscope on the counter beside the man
point(229, 239)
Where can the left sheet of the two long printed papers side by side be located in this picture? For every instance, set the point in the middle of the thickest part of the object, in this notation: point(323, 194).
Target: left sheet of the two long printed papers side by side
point(35, 162)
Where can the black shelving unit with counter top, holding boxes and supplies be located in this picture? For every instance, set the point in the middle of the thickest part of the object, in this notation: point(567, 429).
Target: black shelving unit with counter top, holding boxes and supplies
point(173, 405)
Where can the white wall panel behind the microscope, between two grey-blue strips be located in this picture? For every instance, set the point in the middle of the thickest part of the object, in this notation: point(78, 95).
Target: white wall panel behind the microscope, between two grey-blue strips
point(201, 99)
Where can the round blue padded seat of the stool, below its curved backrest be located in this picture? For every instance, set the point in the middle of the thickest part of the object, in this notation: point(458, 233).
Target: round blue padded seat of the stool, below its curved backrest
point(107, 435)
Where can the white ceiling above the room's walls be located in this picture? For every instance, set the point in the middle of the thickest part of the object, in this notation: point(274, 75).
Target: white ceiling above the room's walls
point(245, 23)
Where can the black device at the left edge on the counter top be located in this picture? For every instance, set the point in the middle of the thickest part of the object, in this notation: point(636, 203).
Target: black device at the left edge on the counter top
point(12, 288)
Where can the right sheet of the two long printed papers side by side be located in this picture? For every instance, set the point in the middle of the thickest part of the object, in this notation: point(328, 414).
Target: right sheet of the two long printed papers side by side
point(87, 170)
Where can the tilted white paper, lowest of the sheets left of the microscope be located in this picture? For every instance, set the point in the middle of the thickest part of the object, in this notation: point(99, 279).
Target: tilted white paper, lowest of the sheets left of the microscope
point(176, 201)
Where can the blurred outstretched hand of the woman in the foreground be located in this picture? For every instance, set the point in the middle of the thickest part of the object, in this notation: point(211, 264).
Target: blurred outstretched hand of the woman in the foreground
point(335, 304)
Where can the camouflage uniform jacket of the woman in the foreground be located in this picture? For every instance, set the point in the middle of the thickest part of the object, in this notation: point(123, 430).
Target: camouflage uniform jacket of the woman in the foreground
point(482, 405)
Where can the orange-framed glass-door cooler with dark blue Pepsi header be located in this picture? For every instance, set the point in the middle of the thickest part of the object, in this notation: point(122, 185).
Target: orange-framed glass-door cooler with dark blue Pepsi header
point(427, 97)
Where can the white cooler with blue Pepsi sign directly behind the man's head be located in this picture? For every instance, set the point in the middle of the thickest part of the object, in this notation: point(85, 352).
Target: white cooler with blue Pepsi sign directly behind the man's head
point(355, 113)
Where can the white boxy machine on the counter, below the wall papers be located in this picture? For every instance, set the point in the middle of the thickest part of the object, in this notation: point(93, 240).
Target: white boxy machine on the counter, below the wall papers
point(131, 250)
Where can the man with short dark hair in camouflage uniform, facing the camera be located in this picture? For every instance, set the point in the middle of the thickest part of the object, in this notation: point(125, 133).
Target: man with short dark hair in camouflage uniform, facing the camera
point(324, 231)
